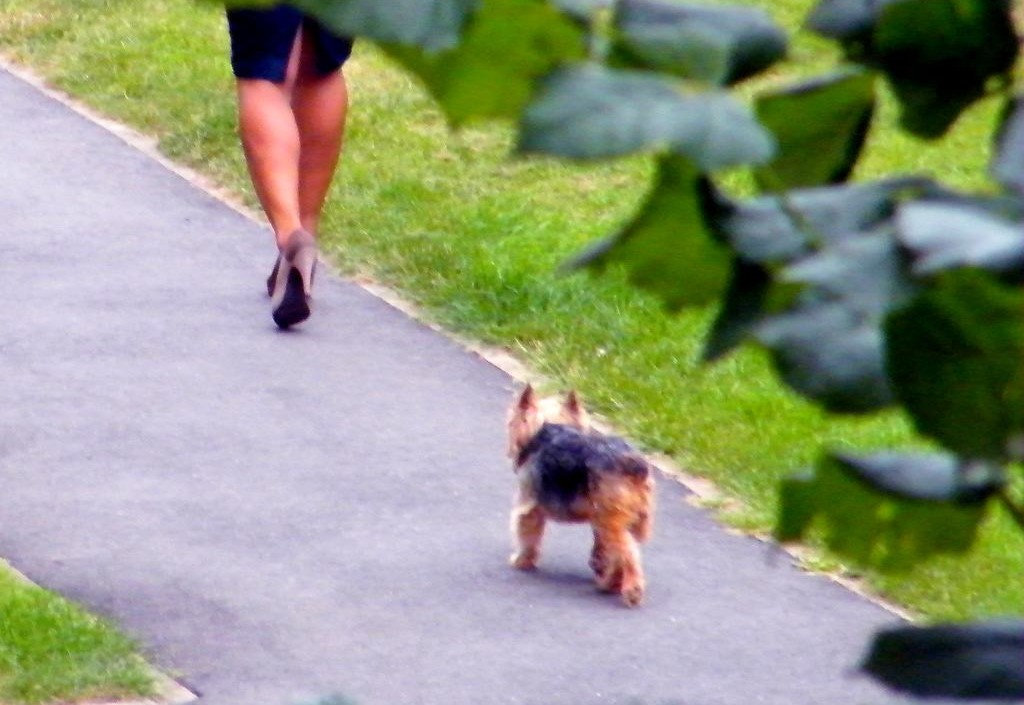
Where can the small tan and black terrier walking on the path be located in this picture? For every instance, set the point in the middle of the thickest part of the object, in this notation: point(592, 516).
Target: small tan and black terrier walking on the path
point(569, 473)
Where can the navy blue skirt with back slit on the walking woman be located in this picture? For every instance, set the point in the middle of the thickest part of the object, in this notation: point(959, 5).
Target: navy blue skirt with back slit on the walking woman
point(263, 42)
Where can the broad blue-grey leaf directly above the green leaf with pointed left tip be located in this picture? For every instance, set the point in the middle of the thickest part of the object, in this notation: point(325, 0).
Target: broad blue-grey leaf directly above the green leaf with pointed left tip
point(589, 112)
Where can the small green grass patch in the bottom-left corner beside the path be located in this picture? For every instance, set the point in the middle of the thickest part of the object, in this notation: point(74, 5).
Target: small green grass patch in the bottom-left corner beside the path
point(53, 651)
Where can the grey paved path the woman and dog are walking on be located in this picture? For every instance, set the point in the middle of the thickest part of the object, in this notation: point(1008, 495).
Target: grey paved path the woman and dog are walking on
point(283, 516)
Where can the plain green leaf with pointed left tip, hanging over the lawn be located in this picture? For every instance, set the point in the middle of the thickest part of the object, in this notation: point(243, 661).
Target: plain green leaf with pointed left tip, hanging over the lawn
point(668, 248)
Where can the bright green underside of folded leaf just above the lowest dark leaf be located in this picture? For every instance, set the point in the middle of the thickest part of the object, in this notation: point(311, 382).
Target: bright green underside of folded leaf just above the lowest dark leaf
point(872, 527)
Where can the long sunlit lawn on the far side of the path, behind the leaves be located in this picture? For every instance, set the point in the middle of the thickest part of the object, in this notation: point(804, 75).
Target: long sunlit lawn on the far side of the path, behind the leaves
point(475, 238)
